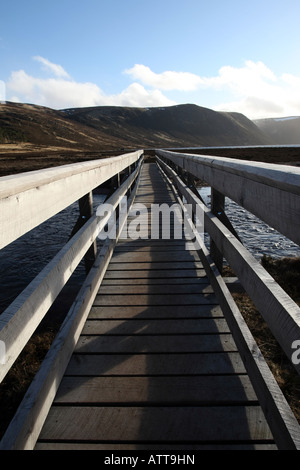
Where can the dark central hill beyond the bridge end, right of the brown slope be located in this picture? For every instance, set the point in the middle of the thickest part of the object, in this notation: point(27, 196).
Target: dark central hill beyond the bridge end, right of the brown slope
point(174, 126)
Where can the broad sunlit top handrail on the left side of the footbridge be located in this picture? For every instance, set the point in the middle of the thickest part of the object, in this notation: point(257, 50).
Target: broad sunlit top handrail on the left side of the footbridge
point(28, 199)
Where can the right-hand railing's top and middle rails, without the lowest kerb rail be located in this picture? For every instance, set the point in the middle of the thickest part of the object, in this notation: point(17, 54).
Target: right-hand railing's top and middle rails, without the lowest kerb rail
point(272, 193)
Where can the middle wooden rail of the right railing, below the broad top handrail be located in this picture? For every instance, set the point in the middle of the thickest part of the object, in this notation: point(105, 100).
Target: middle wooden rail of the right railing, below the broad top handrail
point(280, 312)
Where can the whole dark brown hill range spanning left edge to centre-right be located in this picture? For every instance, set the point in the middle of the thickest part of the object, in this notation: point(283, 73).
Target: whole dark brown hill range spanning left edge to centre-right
point(105, 127)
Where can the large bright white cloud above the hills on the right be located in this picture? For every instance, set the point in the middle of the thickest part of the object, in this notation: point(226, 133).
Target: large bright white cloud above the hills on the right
point(252, 89)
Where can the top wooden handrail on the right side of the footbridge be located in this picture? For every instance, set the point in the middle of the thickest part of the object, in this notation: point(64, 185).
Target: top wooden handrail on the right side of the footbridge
point(269, 191)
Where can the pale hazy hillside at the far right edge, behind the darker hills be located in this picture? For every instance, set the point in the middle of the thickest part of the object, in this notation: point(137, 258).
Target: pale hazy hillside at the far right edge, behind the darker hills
point(283, 131)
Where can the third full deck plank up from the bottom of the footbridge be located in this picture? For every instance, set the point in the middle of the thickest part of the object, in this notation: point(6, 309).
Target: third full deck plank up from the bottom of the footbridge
point(155, 364)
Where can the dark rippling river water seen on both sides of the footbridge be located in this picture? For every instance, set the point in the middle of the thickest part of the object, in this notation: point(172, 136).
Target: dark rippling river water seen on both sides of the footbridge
point(22, 260)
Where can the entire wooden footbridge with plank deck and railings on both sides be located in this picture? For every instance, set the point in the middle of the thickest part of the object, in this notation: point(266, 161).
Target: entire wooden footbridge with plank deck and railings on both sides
point(154, 353)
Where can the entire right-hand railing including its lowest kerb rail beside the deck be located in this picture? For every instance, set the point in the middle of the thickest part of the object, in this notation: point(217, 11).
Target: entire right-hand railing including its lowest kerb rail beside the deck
point(267, 184)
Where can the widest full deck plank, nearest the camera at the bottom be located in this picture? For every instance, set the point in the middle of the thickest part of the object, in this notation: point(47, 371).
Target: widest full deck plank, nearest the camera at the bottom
point(184, 424)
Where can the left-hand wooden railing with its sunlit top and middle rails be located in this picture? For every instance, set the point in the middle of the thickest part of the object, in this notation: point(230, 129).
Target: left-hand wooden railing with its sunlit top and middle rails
point(27, 200)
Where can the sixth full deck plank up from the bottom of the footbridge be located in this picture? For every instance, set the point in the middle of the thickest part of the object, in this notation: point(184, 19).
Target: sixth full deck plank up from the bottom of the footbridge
point(156, 311)
